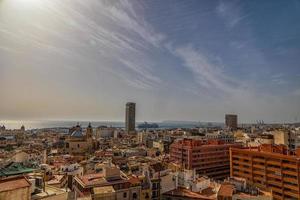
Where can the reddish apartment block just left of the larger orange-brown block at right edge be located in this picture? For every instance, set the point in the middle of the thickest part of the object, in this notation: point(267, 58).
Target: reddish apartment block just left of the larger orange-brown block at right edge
point(207, 158)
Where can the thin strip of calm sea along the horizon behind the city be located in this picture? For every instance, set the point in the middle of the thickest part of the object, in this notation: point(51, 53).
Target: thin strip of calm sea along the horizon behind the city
point(67, 124)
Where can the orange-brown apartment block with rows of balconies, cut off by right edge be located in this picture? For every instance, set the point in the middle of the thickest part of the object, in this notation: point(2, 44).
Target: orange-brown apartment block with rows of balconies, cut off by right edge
point(269, 167)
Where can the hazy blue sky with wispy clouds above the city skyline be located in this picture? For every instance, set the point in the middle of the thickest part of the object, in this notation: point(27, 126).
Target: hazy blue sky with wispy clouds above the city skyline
point(178, 60)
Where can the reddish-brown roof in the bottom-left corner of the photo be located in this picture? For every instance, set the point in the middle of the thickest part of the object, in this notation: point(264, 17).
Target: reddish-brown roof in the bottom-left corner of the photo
point(13, 183)
